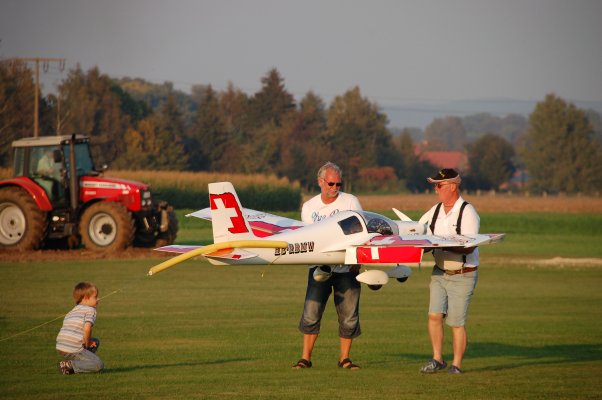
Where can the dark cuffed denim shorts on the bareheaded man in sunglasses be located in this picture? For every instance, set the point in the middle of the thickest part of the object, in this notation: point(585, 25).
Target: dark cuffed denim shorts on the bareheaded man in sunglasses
point(346, 300)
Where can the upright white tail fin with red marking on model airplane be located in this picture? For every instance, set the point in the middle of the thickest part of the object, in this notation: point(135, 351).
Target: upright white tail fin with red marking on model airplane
point(227, 214)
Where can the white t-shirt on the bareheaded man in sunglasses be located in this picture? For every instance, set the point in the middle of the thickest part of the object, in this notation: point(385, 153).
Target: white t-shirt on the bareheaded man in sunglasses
point(314, 210)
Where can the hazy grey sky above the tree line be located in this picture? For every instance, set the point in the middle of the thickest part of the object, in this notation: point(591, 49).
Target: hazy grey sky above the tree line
point(397, 52)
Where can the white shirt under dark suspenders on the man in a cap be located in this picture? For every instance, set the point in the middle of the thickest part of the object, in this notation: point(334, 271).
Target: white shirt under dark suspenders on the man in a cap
point(446, 225)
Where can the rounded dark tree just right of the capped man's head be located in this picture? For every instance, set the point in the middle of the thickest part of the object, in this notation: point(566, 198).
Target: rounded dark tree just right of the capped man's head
point(490, 160)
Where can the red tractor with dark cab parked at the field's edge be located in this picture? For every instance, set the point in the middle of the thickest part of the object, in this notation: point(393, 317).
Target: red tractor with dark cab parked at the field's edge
point(52, 198)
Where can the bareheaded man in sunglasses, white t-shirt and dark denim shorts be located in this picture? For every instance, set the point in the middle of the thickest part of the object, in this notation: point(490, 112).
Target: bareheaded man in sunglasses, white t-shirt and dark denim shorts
point(341, 278)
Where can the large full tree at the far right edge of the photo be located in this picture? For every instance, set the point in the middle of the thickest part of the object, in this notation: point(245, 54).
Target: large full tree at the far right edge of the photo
point(561, 153)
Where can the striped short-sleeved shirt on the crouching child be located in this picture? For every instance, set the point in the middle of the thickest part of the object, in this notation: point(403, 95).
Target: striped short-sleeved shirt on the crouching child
point(71, 336)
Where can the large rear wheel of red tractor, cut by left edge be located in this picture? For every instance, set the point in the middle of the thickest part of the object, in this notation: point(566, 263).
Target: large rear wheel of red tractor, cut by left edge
point(22, 223)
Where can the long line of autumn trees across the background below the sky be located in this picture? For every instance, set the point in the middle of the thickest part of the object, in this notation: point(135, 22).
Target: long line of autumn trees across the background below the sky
point(138, 125)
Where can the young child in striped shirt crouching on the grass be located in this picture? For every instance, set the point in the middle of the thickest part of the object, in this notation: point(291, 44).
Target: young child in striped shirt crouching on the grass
point(74, 341)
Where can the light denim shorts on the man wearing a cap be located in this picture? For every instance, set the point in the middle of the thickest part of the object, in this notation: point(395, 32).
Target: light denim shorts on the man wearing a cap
point(451, 294)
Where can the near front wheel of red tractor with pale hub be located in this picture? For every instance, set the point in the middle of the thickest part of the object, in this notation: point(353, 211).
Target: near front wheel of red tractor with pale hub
point(106, 226)
